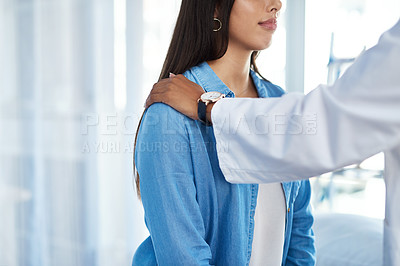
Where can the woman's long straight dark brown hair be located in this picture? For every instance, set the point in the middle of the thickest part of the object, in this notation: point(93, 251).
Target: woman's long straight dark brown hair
point(194, 41)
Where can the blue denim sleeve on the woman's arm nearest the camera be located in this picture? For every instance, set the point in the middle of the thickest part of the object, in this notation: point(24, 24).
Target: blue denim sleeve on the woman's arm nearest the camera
point(168, 191)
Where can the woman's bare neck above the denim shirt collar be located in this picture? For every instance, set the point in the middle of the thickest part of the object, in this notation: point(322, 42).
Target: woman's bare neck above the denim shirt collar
point(233, 70)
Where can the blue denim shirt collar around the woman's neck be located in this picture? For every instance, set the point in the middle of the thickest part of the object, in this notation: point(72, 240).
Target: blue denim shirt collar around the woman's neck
point(209, 81)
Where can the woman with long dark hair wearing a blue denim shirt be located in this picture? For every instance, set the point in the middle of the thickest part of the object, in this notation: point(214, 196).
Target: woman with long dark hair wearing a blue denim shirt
point(193, 215)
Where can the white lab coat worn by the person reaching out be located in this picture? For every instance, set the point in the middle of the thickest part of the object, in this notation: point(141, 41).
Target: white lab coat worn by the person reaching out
point(297, 136)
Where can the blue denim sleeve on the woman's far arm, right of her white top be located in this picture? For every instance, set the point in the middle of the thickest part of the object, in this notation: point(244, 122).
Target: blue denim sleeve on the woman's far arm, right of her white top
point(301, 249)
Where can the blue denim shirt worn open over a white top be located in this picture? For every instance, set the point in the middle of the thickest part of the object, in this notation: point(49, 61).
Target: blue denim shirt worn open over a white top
point(194, 216)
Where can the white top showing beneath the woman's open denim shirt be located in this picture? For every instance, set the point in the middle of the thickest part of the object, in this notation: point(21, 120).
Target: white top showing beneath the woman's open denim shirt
point(269, 226)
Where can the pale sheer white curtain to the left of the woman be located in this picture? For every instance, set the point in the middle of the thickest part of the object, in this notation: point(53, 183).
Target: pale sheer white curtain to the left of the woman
point(70, 98)
